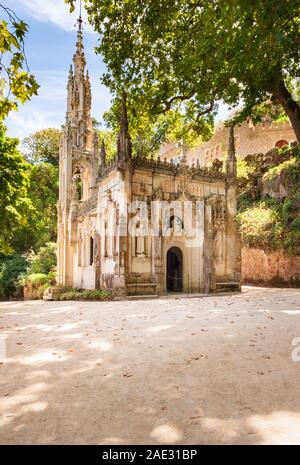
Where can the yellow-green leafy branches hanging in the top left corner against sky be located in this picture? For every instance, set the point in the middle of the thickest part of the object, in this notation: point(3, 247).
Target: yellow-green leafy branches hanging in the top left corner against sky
point(17, 85)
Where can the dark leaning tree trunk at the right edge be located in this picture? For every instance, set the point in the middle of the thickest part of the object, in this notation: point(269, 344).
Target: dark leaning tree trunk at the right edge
point(292, 109)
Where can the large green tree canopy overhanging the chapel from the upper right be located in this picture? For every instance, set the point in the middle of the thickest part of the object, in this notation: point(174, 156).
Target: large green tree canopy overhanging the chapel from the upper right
point(194, 53)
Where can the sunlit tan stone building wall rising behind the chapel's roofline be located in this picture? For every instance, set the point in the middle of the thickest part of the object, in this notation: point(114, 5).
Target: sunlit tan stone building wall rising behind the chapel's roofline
point(249, 139)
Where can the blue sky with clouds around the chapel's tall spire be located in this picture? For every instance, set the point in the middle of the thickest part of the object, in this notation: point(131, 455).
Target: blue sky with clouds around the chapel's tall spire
point(50, 45)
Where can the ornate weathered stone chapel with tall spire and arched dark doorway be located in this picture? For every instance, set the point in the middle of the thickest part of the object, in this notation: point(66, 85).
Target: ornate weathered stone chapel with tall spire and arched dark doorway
point(137, 225)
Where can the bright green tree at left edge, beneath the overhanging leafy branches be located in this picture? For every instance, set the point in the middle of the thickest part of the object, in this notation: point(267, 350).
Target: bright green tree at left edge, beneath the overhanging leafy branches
point(14, 181)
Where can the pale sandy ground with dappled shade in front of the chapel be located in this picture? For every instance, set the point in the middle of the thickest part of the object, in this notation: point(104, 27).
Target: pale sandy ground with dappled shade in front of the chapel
point(168, 371)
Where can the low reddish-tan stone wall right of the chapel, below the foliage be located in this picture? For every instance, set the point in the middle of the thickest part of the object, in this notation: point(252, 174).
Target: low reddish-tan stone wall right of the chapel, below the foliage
point(270, 268)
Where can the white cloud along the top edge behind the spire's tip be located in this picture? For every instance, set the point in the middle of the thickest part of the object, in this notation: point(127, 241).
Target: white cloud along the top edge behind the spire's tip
point(54, 11)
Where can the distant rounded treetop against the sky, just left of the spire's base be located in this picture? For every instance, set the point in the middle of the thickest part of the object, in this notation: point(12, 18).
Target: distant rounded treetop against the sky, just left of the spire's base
point(42, 146)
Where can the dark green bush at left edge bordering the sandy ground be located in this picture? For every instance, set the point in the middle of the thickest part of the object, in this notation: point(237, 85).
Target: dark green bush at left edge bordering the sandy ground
point(10, 270)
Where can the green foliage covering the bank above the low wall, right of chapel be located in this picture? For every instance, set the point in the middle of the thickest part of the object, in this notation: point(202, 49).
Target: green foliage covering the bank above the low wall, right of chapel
point(272, 224)
